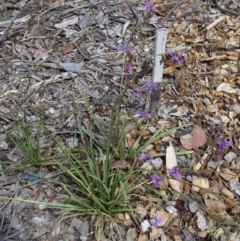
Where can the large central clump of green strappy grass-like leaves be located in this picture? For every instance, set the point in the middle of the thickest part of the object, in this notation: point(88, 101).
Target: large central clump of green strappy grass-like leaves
point(96, 185)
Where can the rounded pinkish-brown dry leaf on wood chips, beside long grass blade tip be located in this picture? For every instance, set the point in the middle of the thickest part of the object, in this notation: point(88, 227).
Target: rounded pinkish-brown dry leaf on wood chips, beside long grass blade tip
point(195, 139)
